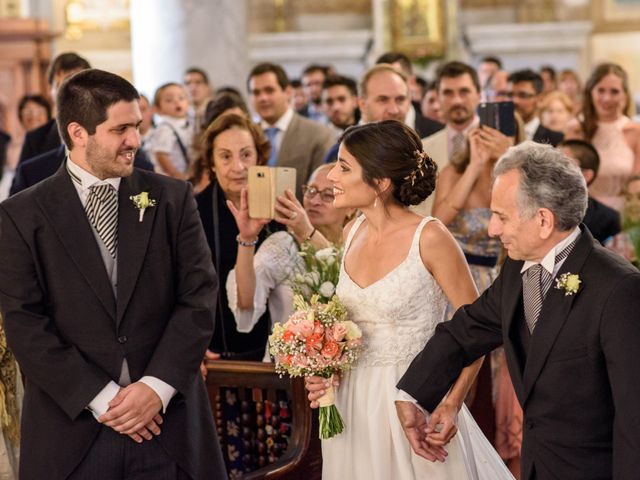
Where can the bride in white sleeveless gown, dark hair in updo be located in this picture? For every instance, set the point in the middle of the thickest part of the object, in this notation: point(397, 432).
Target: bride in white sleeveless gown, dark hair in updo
point(396, 270)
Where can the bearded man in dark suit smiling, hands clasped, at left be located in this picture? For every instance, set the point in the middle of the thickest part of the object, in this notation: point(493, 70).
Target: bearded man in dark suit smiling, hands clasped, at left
point(108, 297)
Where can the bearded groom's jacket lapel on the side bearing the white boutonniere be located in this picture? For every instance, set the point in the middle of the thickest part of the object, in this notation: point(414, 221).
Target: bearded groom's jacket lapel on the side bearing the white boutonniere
point(133, 236)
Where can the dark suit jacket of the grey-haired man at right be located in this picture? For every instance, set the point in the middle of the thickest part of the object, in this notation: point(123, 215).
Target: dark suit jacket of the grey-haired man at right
point(577, 377)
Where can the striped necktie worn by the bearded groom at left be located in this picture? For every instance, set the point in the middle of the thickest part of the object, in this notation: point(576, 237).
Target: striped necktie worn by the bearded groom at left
point(102, 211)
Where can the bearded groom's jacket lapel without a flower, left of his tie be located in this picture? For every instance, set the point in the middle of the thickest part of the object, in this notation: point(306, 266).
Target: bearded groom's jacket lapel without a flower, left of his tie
point(62, 206)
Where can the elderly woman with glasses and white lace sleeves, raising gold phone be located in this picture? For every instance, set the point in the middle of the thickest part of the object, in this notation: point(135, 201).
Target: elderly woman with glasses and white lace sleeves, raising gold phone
point(260, 279)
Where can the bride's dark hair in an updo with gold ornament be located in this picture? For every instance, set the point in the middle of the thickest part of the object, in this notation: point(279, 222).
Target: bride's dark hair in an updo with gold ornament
point(390, 149)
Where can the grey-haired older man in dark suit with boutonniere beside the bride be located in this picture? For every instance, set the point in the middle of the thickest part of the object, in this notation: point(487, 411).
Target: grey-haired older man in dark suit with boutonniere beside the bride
point(566, 310)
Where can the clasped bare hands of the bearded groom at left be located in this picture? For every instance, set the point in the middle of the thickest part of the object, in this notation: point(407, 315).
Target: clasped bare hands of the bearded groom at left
point(134, 411)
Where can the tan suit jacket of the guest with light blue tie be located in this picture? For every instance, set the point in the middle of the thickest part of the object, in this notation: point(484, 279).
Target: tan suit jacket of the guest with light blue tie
point(304, 146)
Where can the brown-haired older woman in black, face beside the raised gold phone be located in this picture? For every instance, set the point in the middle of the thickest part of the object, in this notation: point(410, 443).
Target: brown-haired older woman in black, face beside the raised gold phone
point(232, 144)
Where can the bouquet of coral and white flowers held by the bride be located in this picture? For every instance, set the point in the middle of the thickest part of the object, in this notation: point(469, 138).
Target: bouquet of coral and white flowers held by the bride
point(317, 339)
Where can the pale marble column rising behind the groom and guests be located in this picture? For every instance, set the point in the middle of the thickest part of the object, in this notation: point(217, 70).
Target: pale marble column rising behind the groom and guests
point(170, 36)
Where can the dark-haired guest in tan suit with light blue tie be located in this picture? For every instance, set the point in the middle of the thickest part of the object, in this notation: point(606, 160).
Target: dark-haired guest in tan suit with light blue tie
point(296, 141)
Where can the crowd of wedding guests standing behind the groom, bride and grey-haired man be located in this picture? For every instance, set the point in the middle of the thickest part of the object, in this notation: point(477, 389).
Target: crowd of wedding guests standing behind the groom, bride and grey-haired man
point(210, 136)
